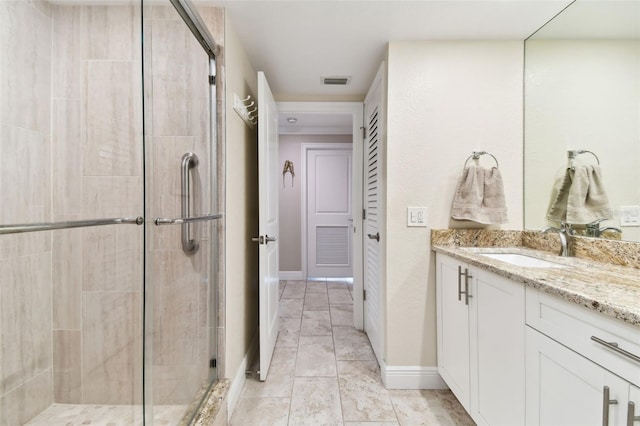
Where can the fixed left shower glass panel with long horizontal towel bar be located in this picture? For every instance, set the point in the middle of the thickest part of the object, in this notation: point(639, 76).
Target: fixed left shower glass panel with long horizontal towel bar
point(71, 150)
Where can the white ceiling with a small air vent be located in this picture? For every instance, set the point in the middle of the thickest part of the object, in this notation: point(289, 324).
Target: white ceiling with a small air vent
point(297, 42)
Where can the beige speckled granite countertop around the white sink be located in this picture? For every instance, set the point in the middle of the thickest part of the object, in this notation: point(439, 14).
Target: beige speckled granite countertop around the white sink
point(610, 289)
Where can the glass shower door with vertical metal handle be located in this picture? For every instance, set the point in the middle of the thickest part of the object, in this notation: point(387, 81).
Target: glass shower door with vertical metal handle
point(180, 212)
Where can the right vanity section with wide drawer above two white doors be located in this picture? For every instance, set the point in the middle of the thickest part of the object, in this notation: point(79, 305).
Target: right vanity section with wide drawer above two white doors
point(580, 365)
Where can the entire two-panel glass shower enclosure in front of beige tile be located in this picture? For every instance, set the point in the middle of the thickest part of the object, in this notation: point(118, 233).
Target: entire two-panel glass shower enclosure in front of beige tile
point(103, 316)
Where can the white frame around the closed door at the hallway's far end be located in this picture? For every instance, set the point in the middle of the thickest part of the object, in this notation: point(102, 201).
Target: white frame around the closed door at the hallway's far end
point(306, 147)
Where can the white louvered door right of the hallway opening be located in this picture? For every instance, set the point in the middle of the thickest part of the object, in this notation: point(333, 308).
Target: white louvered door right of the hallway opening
point(373, 187)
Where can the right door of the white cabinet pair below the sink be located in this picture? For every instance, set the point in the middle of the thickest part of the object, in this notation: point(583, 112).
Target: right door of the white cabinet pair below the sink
point(497, 345)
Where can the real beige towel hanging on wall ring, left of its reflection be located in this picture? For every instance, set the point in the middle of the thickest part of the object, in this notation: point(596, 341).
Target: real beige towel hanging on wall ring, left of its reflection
point(479, 196)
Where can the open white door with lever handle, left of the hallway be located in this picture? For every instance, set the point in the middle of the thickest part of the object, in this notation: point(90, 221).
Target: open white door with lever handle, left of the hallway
point(268, 222)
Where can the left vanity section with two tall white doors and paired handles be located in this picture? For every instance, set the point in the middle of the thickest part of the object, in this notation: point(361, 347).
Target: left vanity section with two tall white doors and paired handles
point(481, 341)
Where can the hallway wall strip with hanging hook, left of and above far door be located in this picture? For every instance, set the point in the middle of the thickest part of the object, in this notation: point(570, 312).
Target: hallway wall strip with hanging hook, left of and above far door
point(290, 148)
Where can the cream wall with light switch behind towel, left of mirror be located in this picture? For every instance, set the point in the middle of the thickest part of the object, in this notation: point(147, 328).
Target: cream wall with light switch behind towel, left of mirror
point(445, 99)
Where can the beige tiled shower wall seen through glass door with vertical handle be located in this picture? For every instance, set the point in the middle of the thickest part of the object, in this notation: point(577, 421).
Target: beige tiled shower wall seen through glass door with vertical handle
point(180, 299)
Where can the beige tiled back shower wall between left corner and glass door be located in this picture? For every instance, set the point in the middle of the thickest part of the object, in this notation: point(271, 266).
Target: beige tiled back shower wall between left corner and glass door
point(96, 146)
